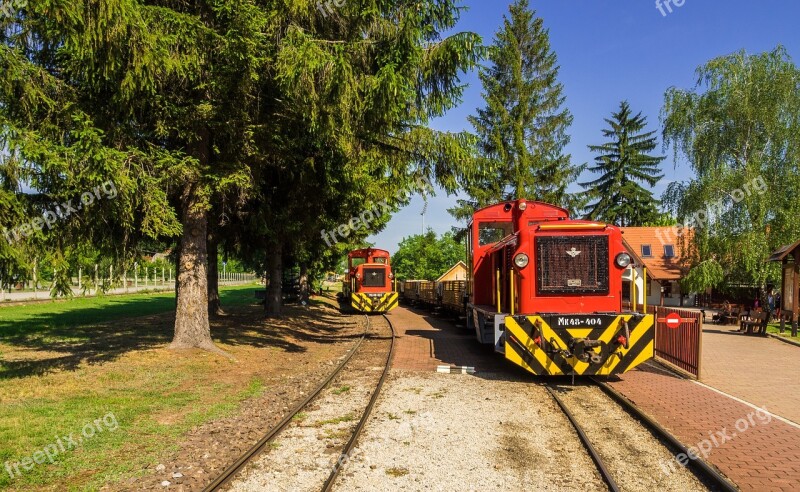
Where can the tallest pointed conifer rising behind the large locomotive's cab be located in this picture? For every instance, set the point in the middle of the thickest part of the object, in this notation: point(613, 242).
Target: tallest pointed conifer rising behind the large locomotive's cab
point(522, 129)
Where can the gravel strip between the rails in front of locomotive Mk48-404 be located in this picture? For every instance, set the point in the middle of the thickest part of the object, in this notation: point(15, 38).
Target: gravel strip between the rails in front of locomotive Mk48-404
point(634, 457)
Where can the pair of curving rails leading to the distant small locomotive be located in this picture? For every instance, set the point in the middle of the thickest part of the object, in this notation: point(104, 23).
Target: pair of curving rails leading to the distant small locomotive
point(230, 473)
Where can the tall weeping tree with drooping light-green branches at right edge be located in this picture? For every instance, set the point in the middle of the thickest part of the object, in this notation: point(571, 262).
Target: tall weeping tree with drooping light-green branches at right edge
point(739, 130)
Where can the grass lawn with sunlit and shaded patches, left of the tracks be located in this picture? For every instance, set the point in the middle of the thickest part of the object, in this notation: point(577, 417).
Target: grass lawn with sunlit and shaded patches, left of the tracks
point(66, 367)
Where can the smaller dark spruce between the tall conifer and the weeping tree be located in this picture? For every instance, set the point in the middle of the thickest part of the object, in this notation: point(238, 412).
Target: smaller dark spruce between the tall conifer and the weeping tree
point(624, 164)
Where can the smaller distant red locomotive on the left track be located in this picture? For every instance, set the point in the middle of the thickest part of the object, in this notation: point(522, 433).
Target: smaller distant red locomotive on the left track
point(368, 284)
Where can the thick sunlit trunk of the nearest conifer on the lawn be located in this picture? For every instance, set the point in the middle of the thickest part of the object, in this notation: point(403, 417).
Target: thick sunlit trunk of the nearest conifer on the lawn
point(192, 329)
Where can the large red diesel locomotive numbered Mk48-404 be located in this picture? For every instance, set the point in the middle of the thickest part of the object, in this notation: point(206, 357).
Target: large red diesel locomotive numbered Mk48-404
point(546, 291)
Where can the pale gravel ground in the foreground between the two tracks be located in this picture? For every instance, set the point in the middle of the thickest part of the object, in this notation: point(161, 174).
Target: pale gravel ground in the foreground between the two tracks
point(443, 432)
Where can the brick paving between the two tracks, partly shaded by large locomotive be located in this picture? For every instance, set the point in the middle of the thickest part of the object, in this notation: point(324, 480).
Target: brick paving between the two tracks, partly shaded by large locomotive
point(426, 341)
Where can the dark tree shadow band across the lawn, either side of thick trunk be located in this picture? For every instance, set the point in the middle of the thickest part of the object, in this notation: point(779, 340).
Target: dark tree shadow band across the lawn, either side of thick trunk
point(64, 341)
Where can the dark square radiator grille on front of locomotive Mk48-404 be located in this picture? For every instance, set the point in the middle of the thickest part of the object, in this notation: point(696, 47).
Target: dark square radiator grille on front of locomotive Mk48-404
point(572, 264)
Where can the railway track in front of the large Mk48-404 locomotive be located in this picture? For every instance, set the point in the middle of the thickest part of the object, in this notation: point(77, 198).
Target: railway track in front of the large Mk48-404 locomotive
point(627, 455)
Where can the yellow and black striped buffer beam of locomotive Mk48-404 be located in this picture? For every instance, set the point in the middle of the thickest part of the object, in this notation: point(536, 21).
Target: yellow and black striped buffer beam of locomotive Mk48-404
point(579, 344)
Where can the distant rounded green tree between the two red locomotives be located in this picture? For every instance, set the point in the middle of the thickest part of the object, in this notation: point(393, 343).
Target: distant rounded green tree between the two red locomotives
point(426, 257)
